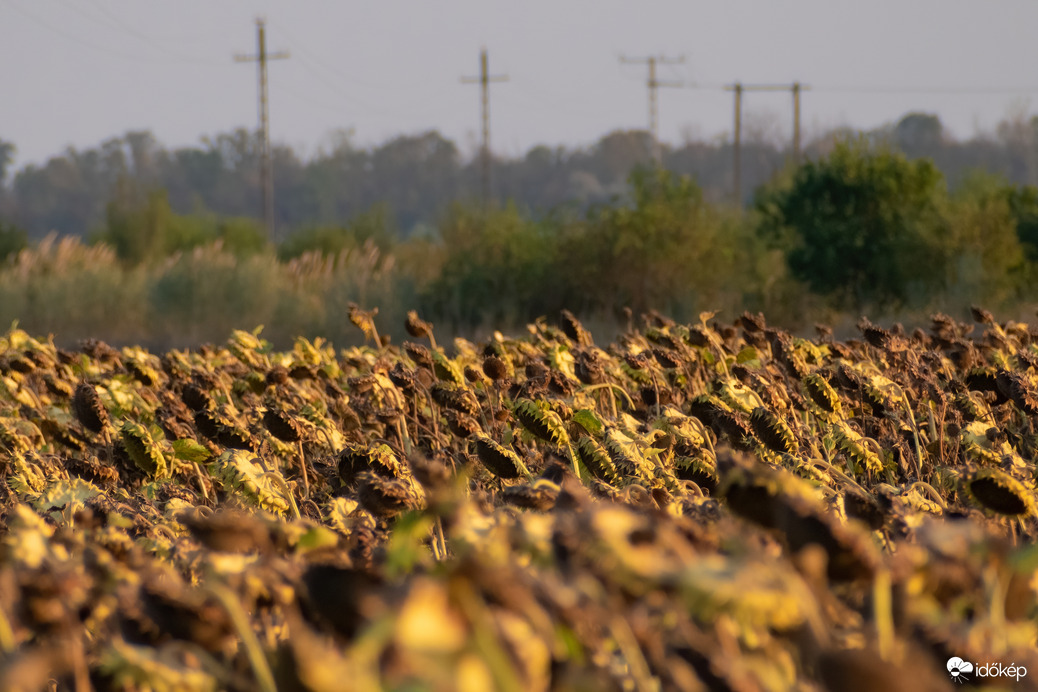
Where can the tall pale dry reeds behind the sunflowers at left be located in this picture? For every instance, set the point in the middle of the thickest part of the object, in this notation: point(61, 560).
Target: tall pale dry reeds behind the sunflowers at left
point(76, 292)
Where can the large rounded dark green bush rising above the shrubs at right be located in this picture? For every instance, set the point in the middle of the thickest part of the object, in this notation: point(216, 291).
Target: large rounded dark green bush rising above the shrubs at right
point(862, 227)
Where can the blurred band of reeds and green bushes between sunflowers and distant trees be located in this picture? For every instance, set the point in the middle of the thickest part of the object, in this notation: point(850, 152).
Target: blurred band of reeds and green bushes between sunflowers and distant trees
point(861, 228)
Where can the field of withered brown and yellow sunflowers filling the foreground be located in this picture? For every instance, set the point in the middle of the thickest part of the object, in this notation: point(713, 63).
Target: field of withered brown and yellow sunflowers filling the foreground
point(695, 507)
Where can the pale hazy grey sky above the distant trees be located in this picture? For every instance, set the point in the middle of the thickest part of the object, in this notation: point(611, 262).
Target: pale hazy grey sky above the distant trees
point(77, 72)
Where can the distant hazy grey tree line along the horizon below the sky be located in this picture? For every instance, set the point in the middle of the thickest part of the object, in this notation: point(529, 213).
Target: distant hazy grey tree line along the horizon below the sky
point(415, 179)
